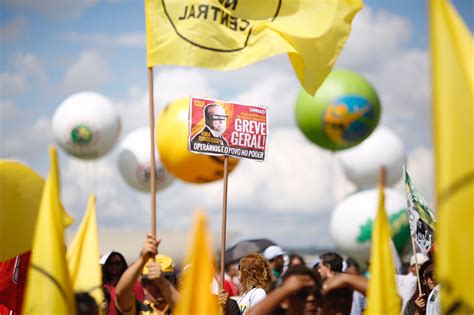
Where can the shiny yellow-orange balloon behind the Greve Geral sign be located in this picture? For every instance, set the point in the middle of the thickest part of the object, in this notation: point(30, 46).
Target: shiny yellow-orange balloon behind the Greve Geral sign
point(172, 141)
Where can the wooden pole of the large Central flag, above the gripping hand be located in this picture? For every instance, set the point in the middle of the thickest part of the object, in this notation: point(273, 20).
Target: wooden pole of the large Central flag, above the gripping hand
point(152, 151)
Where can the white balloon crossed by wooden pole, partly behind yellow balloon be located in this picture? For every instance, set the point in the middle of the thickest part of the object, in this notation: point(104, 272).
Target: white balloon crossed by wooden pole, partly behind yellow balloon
point(134, 162)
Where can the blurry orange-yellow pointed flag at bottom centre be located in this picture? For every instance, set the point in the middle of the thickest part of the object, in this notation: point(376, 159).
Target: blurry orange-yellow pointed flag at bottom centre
point(196, 289)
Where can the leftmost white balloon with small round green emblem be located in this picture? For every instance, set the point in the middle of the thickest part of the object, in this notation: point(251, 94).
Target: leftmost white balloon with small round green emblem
point(86, 125)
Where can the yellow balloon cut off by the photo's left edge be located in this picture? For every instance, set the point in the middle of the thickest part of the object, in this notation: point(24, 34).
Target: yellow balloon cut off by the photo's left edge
point(20, 196)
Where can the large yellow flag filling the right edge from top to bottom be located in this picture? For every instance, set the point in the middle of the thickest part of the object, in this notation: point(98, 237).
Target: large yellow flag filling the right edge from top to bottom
point(452, 49)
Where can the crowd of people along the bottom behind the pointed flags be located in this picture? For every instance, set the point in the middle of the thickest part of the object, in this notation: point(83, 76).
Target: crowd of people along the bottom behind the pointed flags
point(270, 282)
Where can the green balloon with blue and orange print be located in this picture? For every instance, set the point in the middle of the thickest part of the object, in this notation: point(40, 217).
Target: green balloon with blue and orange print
point(343, 112)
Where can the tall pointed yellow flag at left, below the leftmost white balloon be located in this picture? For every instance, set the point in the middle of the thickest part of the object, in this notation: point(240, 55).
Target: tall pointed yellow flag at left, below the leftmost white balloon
point(48, 288)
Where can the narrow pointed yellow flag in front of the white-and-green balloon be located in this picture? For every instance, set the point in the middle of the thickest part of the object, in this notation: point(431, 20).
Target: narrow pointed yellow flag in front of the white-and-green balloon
point(382, 296)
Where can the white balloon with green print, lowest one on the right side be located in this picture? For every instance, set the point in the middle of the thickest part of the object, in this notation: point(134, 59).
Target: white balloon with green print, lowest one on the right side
point(352, 219)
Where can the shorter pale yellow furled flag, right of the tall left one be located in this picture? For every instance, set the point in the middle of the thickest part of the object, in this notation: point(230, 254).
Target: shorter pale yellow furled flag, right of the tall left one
point(83, 256)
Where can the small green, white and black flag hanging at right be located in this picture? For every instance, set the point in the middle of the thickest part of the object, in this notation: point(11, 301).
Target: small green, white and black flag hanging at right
point(422, 219)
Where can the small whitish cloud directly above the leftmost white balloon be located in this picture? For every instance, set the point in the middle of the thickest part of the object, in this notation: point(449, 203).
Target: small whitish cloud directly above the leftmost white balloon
point(90, 71)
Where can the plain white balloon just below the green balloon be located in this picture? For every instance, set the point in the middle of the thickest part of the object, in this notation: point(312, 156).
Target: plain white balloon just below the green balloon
point(361, 163)
